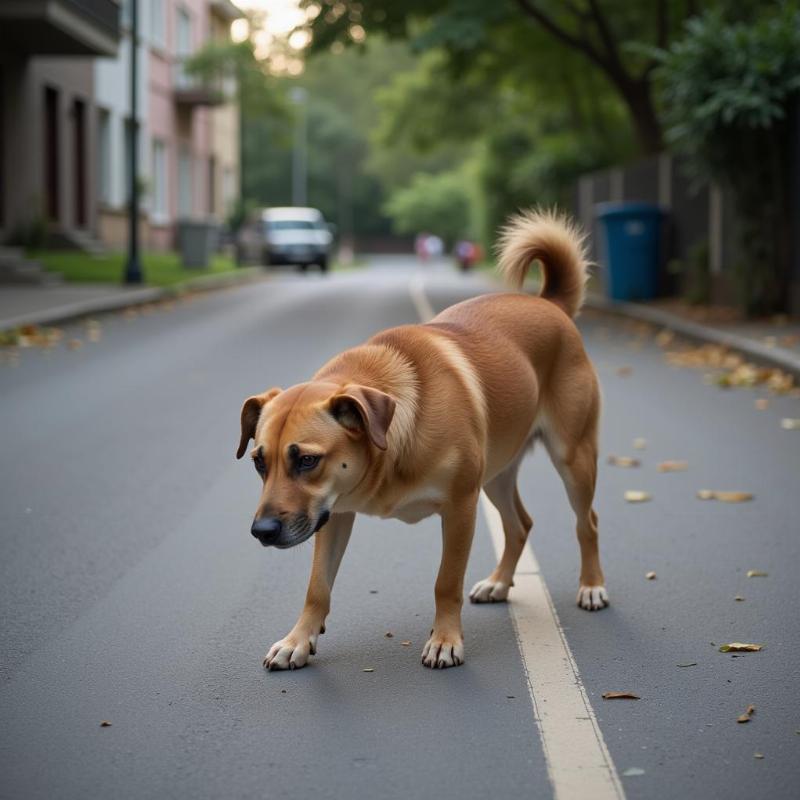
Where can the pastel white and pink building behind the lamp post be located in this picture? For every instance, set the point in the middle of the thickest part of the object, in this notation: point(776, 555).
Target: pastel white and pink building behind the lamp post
point(188, 131)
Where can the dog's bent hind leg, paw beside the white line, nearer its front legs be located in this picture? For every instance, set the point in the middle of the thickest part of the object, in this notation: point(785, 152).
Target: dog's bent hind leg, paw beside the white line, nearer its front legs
point(517, 524)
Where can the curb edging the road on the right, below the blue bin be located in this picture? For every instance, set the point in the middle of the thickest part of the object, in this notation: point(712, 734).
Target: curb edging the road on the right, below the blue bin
point(694, 331)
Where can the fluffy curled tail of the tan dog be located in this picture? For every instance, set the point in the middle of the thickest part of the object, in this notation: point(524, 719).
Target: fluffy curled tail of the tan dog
point(558, 244)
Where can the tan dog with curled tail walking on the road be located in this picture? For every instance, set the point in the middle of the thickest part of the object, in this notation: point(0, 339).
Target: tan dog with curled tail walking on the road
point(420, 418)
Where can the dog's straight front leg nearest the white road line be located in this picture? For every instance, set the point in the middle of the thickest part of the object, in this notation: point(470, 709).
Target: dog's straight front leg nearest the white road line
point(445, 648)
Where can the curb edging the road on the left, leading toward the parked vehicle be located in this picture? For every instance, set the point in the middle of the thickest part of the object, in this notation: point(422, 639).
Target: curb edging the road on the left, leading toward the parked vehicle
point(132, 297)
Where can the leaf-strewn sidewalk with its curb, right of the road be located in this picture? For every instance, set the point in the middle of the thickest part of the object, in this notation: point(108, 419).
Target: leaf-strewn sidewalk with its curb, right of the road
point(771, 343)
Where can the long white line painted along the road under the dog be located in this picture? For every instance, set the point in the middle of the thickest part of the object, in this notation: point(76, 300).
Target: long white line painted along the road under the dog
point(578, 762)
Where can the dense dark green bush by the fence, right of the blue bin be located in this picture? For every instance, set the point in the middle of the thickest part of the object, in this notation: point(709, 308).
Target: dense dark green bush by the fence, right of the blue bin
point(728, 90)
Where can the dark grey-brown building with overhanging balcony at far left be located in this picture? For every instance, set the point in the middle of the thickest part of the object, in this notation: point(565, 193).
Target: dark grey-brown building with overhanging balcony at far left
point(47, 112)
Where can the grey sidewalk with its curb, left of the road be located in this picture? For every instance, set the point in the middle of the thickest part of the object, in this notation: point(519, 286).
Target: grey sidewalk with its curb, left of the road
point(47, 305)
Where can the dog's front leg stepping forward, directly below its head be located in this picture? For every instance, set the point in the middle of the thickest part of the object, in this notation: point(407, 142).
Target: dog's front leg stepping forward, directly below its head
point(330, 542)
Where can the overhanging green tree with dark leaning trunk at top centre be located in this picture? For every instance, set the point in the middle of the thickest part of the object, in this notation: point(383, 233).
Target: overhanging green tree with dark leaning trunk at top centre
point(599, 33)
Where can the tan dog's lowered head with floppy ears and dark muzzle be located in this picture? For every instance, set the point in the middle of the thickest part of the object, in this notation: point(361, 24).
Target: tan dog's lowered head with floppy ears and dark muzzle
point(313, 444)
